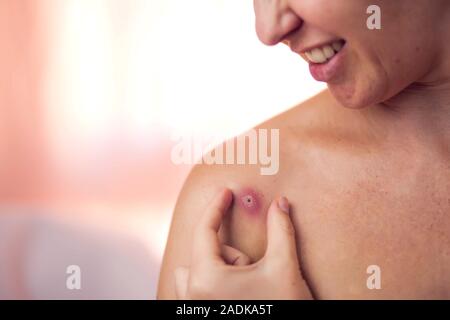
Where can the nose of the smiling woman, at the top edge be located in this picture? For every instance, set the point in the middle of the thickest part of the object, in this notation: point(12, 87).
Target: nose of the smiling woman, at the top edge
point(274, 20)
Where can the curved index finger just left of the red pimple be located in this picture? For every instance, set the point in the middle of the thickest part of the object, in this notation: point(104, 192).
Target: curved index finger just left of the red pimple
point(206, 240)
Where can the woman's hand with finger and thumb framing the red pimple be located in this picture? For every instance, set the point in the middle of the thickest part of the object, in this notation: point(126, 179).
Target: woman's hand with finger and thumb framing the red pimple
point(221, 272)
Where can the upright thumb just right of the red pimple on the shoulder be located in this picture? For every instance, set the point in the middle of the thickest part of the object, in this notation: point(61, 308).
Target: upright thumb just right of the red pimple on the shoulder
point(281, 244)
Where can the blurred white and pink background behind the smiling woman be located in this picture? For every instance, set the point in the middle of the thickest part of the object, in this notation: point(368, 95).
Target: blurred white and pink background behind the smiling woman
point(91, 92)
